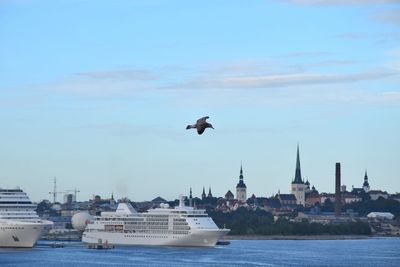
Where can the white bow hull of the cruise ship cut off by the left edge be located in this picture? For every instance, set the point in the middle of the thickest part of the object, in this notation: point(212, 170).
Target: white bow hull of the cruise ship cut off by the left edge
point(20, 234)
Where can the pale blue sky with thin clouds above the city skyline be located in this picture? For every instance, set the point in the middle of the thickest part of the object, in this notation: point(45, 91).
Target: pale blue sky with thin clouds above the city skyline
point(98, 94)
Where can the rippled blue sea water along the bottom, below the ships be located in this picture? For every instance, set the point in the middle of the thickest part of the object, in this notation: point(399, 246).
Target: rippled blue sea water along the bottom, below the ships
point(360, 252)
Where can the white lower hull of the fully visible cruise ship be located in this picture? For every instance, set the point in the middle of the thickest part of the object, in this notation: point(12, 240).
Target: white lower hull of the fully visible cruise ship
point(197, 238)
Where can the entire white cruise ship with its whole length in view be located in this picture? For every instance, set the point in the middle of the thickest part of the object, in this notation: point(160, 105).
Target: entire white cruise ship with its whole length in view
point(164, 226)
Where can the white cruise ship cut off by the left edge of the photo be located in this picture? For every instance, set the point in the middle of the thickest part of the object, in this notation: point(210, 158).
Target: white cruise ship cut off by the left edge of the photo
point(20, 226)
